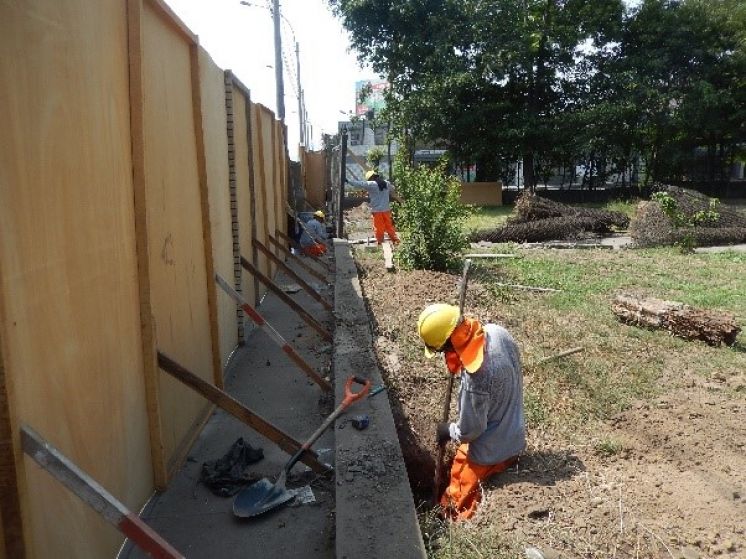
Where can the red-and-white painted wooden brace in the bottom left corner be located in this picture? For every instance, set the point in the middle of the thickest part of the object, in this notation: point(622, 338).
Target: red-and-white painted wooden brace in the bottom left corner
point(95, 496)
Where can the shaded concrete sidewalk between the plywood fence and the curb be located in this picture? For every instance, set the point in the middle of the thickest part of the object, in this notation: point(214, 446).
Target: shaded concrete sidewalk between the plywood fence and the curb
point(261, 376)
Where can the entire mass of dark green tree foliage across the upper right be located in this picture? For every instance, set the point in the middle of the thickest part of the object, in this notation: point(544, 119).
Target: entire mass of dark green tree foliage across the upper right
point(562, 82)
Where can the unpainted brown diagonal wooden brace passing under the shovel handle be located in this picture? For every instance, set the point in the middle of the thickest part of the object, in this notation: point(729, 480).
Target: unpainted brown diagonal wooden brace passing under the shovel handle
point(232, 406)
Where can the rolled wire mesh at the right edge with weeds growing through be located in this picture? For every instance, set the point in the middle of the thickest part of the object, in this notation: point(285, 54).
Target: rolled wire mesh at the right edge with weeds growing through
point(652, 227)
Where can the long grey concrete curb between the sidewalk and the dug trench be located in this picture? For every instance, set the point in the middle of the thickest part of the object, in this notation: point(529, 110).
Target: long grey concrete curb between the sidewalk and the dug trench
point(374, 505)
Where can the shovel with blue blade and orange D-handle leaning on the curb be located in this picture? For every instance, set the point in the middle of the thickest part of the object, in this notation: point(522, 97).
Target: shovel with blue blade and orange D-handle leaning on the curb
point(263, 495)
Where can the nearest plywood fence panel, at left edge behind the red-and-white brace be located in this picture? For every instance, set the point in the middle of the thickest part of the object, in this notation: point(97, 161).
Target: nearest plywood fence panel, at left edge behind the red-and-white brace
point(71, 323)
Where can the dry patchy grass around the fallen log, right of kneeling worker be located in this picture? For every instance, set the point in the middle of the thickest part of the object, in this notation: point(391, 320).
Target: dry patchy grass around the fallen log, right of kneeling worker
point(620, 363)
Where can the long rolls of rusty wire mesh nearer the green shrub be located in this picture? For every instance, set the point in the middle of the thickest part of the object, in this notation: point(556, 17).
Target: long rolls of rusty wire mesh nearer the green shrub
point(537, 219)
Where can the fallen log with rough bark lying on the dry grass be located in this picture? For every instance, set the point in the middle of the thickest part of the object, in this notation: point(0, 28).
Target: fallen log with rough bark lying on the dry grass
point(681, 320)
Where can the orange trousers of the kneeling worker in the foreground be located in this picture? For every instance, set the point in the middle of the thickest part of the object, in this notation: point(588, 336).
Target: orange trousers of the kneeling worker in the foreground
point(463, 494)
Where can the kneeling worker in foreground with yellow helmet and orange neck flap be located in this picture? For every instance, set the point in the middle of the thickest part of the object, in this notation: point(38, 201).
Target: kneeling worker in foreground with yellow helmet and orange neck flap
point(490, 428)
